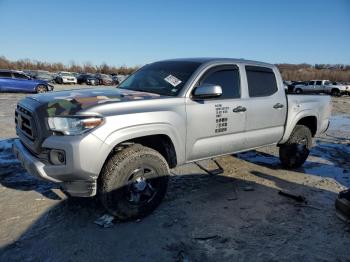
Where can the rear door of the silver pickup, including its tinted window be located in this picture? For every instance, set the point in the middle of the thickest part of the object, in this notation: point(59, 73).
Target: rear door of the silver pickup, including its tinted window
point(266, 108)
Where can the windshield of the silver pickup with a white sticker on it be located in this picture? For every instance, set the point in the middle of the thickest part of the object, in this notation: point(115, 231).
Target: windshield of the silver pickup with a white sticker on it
point(163, 78)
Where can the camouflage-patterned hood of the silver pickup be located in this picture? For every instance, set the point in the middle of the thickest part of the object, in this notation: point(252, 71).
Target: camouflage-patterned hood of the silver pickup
point(70, 102)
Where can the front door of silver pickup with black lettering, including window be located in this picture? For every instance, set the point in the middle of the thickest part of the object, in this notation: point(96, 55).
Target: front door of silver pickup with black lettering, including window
point(213, 128)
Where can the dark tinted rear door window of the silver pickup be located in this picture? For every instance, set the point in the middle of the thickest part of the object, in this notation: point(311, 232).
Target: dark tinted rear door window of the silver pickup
point(261, 81)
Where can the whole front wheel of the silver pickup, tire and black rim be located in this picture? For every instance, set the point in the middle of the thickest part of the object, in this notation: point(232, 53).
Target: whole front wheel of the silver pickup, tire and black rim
point(133, 182)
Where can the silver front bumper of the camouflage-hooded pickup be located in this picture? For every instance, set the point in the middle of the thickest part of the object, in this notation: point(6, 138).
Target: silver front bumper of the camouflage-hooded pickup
point(76, 177)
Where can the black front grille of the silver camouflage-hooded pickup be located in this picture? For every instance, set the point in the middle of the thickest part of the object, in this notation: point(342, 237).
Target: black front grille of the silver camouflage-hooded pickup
point(24, 122)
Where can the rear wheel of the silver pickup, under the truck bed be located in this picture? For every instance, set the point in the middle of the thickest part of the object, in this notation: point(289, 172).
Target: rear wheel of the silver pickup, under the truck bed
point(291, 154)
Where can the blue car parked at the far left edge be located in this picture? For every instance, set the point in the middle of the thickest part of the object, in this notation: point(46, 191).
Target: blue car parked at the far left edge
point(17, 81)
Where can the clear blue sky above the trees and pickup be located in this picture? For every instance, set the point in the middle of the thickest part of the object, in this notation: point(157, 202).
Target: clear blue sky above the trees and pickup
point(141, 31)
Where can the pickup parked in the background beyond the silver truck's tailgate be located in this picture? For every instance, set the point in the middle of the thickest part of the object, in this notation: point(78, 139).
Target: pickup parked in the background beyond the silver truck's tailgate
point(322, 86)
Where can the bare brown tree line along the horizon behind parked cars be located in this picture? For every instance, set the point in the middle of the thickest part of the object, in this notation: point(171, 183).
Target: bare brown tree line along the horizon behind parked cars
point(297, 72)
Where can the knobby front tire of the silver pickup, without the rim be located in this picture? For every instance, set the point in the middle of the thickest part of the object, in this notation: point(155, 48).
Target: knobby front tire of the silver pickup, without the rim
point(114, 178)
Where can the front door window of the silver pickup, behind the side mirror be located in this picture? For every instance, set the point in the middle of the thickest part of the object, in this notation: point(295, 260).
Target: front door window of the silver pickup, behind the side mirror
point(229, 81)
